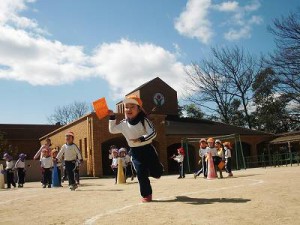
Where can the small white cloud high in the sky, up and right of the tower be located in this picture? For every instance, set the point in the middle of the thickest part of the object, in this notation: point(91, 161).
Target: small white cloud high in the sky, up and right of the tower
point(193, 21)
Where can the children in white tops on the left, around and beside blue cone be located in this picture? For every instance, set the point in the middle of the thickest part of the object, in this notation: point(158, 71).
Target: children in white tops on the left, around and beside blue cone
point(69, 156)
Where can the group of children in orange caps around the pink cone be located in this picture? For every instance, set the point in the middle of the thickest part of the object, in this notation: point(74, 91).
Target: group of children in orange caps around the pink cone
point(220, 153)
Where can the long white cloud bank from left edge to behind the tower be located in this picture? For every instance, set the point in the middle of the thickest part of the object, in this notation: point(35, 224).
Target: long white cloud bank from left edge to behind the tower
point(26, 54)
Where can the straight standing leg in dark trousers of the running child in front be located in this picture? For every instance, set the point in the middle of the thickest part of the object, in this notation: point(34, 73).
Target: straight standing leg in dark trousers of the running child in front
point(142, 175)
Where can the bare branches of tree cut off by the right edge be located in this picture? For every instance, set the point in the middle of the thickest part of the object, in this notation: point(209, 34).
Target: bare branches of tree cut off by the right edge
point(285, 60)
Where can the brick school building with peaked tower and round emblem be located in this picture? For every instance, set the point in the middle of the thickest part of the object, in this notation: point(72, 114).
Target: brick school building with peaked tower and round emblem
point(93, 138)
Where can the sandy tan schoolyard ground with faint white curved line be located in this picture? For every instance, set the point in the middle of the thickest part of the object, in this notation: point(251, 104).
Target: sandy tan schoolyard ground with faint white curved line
point(253, 196)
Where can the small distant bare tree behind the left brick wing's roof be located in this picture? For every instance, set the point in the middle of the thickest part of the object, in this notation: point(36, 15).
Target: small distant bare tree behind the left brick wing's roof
point(68, 113)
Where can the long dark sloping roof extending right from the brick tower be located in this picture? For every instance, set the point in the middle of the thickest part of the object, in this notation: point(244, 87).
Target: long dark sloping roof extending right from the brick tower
point(188, 126)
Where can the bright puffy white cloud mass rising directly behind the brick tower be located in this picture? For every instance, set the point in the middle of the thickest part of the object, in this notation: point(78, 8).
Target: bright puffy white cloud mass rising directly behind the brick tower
point(126, 65)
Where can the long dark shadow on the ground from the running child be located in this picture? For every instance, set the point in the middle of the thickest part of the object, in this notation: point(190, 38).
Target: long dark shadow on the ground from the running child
point(203, 201)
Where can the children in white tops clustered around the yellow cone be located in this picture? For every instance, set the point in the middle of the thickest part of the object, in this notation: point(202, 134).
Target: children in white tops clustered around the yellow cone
point(115, 154)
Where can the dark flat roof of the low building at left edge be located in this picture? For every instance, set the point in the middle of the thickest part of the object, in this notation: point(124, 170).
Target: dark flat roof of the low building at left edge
point(26, 131)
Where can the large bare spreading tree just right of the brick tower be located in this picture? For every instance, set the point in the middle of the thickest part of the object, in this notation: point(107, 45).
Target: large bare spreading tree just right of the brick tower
point(224, 81)
